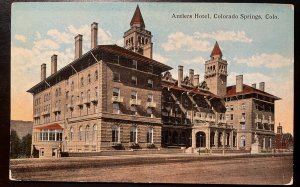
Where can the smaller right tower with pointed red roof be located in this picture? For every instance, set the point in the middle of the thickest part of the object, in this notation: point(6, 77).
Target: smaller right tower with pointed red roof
point(216, 72)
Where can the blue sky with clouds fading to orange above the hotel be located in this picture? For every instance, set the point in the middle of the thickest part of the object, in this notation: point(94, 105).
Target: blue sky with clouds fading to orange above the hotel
point(260, 49)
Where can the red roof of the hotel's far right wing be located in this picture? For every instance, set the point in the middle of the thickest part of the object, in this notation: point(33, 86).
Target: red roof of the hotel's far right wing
point(231, 91)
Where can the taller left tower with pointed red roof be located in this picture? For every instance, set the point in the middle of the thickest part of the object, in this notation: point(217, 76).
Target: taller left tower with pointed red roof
point(137, 38)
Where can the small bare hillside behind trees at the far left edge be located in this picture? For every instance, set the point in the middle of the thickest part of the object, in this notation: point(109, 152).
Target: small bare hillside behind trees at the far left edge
point(21, 127)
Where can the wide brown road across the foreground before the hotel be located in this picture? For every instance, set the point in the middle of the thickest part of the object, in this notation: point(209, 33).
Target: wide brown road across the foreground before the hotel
point(159, 169)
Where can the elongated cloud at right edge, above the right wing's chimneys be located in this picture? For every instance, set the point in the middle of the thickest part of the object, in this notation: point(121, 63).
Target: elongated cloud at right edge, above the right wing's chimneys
point(272, 60)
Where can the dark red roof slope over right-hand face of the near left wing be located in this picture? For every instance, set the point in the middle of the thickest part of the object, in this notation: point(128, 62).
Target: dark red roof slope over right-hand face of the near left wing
point(130, 54)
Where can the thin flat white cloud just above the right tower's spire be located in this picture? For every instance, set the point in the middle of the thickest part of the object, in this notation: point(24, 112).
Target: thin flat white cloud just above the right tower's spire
point(239, 36)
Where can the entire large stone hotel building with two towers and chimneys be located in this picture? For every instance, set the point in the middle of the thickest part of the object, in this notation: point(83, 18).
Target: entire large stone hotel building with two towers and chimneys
point(117, 98)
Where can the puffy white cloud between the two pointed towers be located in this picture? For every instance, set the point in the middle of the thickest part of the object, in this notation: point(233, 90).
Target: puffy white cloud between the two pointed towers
point(179, 40)
